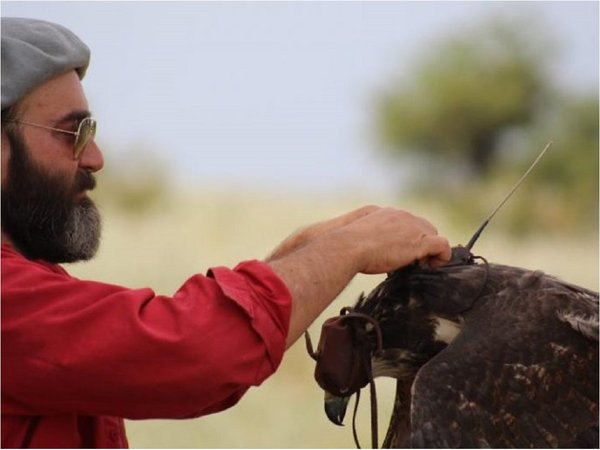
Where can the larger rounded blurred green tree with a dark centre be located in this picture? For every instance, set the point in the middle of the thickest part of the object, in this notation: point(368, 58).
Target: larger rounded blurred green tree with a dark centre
point(465, 94)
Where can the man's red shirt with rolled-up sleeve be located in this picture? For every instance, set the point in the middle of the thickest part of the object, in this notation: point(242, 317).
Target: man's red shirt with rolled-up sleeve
point(78, 356)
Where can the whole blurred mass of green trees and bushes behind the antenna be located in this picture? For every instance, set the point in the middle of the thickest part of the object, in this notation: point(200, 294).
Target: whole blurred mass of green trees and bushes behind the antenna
point(474, 114)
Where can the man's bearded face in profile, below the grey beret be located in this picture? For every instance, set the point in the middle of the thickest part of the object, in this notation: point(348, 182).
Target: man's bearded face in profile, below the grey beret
point(45, 211)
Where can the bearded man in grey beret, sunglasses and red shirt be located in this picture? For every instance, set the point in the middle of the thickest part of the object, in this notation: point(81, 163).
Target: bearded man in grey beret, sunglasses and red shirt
point(78, 356)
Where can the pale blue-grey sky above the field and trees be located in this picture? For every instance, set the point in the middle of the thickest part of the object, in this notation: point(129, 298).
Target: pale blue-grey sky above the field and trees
point(275, 95)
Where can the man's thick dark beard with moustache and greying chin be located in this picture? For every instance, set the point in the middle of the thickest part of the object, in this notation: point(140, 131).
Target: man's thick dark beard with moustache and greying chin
point(41, 213)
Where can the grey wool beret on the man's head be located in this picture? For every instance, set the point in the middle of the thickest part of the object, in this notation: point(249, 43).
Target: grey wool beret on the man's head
point(35, 51)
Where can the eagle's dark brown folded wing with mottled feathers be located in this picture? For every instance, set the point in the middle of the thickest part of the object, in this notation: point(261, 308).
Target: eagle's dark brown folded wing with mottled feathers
point(516, 375)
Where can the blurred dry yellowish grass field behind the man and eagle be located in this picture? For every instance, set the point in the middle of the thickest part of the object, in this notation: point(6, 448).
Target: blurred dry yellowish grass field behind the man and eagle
point(197, 231)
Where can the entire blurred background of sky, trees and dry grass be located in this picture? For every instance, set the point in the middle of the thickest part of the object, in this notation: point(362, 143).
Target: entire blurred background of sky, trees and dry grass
point(228, 125)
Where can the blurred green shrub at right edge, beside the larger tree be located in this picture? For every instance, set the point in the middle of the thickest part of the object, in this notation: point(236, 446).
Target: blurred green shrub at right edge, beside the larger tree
point(564, 190)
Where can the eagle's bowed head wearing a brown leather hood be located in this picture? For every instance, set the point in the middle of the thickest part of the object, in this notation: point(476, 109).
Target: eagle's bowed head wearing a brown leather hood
point(392, 331)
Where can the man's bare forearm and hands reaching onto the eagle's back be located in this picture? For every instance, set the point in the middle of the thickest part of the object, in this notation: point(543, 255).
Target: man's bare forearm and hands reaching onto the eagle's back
point(317, 262)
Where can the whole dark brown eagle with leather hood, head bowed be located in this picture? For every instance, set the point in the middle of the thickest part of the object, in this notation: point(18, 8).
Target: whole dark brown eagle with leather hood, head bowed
point(485, 355)
